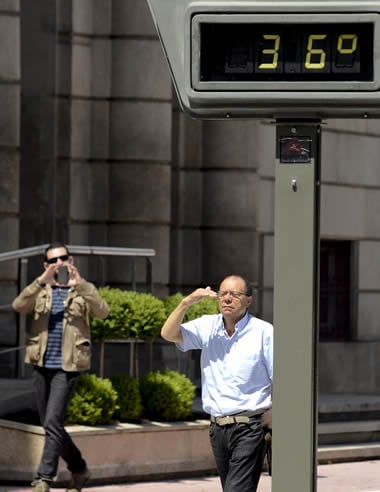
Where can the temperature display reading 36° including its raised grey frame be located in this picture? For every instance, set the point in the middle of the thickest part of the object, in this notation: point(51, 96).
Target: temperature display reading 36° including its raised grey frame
point(262, 52)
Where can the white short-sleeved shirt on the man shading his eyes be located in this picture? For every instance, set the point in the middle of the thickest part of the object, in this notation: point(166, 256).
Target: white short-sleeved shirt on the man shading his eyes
point(237, 371)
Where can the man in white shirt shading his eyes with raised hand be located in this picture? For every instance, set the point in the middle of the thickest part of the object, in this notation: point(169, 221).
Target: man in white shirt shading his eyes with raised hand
point(237, 373)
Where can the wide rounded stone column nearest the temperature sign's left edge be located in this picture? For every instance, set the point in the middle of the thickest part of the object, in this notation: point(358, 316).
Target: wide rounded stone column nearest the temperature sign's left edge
point(140, 140)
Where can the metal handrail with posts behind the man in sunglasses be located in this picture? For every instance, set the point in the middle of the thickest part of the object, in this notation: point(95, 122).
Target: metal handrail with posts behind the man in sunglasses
point(25, 253)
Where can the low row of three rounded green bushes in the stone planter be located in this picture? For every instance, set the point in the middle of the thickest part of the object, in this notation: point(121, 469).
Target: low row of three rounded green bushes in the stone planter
point(161, 396)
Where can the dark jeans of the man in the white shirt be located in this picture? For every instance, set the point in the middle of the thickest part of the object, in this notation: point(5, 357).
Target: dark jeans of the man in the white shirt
point(239, 454)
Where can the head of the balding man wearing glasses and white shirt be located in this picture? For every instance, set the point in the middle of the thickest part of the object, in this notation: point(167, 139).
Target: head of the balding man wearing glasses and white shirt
point(233, 302)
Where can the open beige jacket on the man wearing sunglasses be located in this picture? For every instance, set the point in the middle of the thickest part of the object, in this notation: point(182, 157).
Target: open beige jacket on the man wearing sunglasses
point(81, 302)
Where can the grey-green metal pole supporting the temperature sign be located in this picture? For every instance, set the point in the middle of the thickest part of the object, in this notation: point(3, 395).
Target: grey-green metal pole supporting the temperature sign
point(296, 321)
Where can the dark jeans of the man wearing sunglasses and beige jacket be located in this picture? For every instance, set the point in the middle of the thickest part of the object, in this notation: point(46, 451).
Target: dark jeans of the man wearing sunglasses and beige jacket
point(54, 388)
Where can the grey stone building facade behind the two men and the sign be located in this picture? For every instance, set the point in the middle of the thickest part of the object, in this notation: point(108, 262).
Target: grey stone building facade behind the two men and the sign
point(95, 151)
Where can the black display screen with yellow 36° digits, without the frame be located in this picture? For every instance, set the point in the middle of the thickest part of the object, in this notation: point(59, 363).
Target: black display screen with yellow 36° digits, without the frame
point(286, 52)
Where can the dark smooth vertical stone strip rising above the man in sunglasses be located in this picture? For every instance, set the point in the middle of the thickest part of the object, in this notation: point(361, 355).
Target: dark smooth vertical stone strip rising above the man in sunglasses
point(38, 169)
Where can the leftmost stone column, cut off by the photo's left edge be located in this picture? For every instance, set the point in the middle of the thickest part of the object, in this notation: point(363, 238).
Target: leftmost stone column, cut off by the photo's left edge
point(10, 72)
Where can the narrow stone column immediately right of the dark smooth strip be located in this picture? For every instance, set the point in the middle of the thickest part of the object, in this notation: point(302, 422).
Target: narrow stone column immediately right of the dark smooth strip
point(84, 116)
